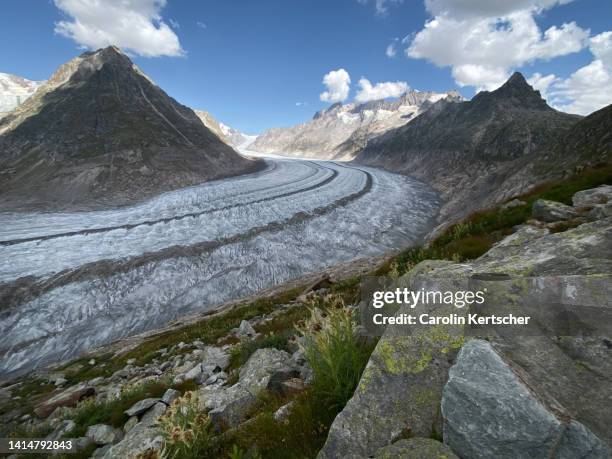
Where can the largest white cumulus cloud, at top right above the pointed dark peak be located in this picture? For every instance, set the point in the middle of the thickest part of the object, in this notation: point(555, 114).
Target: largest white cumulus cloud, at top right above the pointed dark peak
point(483, 40)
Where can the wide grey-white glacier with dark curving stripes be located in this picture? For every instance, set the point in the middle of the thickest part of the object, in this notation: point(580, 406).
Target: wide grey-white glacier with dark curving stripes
point(246, 234)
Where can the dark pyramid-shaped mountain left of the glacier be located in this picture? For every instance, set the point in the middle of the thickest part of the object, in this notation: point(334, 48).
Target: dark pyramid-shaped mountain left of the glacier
point(101, 133)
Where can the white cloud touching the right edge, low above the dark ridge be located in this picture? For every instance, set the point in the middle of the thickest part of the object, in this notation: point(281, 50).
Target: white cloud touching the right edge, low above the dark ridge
point(589, 88)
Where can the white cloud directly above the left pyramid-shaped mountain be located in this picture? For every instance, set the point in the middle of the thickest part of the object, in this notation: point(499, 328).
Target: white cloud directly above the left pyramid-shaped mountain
point(134, 25)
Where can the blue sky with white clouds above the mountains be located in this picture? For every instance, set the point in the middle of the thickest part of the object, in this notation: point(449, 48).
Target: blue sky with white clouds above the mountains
point(271, 63)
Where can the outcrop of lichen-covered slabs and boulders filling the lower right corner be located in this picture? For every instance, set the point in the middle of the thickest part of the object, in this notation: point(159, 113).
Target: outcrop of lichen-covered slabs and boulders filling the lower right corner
point(532, 391)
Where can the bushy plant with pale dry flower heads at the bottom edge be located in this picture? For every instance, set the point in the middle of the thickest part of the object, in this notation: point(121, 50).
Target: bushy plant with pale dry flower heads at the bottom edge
point(186, 429)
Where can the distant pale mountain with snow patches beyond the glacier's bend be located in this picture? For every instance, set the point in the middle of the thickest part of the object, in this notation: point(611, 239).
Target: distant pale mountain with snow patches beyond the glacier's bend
point(341, 130)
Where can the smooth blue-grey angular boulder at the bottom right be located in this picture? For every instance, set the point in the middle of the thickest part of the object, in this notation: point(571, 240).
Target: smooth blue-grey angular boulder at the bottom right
point(489, 411)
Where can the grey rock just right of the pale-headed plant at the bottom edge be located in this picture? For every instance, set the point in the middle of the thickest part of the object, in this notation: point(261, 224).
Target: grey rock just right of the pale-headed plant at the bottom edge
point(228, 406)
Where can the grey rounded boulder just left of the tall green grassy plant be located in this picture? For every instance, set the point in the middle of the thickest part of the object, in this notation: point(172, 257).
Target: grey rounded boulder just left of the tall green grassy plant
point(257, 373)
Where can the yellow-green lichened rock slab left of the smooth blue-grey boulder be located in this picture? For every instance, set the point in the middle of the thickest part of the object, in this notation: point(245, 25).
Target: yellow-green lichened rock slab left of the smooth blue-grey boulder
point(400, 389)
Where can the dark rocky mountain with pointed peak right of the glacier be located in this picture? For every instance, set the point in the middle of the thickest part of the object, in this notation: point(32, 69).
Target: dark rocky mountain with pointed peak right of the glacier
point(477, 152)
